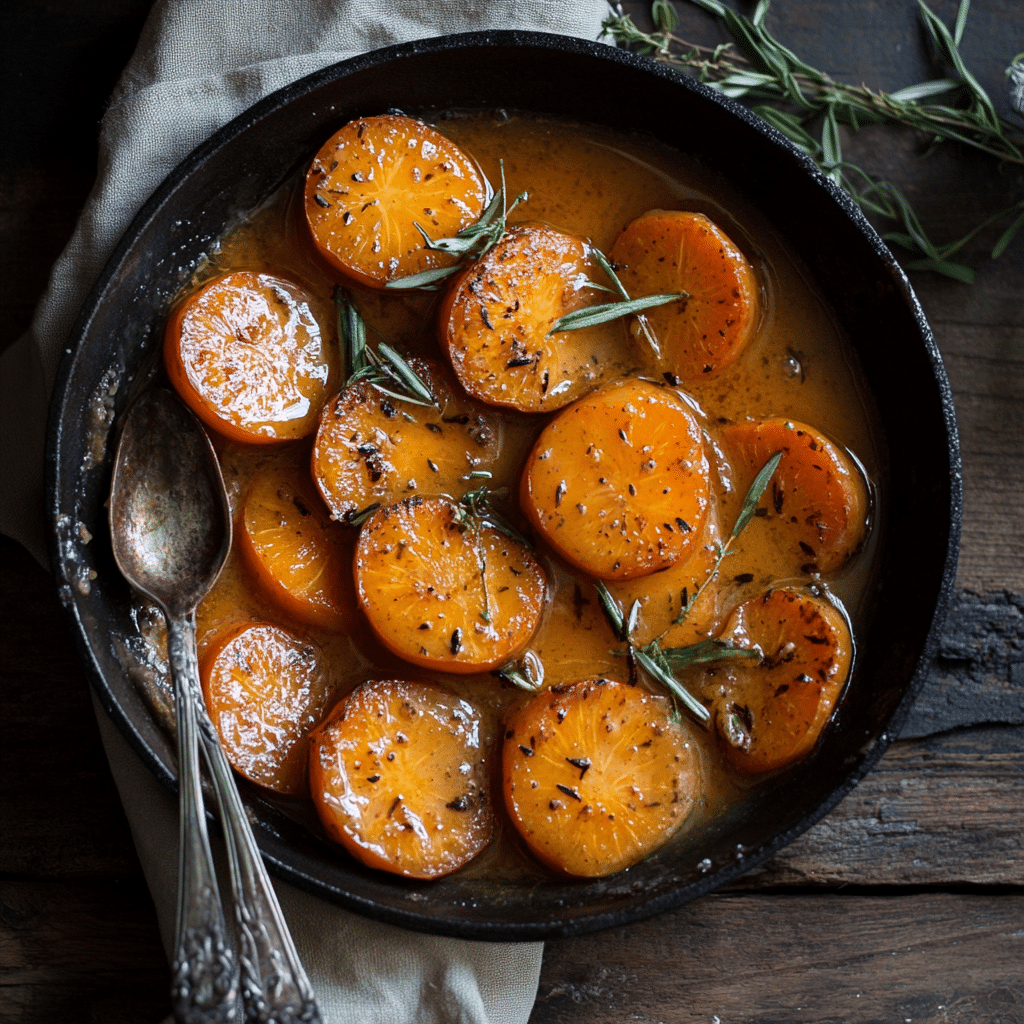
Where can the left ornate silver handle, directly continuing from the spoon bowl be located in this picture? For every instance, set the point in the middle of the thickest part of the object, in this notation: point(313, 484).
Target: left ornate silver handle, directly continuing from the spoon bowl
point(205, 975)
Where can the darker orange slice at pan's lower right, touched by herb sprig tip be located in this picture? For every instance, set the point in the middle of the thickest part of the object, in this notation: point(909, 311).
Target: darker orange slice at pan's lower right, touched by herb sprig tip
point(771, 713)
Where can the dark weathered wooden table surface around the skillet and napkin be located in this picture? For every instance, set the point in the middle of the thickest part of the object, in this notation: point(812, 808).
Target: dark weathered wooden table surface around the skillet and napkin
point(906, 905)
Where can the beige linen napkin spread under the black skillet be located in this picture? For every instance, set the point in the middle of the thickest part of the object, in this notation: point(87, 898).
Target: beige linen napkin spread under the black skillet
point(196, 67)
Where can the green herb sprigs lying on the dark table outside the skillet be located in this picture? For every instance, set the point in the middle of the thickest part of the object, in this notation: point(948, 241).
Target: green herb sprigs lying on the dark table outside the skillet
point(808, 107)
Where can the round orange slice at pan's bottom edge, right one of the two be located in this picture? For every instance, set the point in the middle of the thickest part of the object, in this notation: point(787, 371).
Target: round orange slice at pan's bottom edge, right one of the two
point(598, 776)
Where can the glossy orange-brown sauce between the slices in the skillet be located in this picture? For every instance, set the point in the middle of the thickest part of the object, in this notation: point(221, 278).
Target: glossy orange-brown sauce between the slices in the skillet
point(589, 183)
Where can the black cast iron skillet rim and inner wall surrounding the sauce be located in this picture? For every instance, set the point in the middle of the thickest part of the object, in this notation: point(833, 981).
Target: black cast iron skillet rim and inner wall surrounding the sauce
point(121, 328)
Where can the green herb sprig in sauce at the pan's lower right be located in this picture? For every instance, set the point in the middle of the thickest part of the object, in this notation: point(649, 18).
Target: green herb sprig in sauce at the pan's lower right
point(662, 664)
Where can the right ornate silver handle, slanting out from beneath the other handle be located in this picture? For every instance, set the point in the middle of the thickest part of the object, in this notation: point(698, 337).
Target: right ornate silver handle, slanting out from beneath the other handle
point(275, 987)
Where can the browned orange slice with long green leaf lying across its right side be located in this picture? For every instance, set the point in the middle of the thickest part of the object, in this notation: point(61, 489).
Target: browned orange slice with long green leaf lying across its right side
point(497, 320)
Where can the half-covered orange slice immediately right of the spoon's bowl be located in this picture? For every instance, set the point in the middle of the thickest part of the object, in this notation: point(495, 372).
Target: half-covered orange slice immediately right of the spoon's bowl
point(301, 561)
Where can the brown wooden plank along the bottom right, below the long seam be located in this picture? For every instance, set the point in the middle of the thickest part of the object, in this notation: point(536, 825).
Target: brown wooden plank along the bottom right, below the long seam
point(759, 960)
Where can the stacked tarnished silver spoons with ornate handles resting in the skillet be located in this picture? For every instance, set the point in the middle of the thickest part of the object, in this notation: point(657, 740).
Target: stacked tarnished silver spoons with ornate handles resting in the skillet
point(172, 530)
